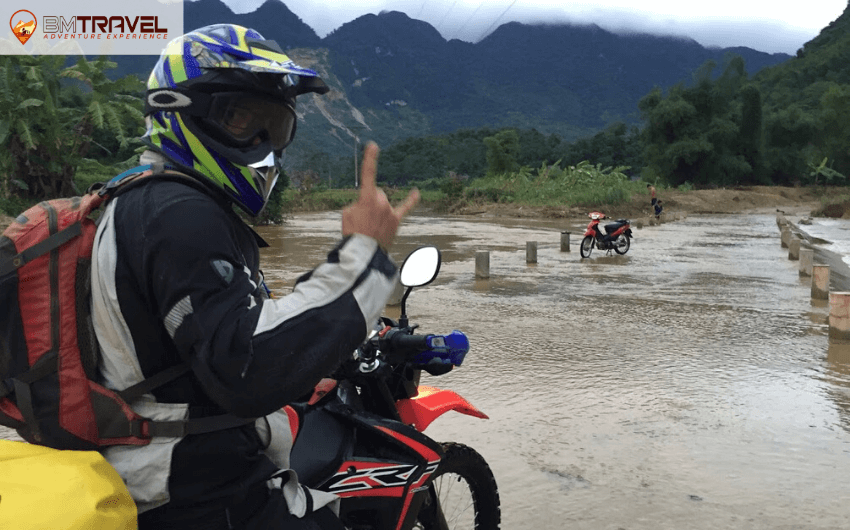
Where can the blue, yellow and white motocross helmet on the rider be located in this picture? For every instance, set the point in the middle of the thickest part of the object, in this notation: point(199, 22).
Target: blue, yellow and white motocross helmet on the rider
point(220, 104)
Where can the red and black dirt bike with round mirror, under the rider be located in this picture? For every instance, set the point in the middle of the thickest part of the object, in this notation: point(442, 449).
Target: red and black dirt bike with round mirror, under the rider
point(362, 433)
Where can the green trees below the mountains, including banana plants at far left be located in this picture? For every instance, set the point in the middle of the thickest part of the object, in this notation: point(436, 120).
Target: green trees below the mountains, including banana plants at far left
point(62, 127)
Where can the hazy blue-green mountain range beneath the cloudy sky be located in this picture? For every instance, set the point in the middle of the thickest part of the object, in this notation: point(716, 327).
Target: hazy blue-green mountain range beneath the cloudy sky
point(394, 77)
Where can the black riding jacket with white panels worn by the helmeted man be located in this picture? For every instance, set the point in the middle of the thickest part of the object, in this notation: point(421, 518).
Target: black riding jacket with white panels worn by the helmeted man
point(176, 279)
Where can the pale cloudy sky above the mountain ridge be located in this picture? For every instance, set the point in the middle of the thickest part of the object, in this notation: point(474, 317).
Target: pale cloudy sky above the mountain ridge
point(765, 25)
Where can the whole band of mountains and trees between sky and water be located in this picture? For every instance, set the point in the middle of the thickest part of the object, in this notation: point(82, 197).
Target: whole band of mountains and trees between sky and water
point(526, 98)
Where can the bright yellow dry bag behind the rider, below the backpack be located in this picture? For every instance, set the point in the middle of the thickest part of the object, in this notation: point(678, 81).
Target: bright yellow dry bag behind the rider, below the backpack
point(43, 488)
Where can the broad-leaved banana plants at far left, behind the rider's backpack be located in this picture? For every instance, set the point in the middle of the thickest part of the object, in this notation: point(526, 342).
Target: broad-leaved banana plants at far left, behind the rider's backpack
point(44, 134)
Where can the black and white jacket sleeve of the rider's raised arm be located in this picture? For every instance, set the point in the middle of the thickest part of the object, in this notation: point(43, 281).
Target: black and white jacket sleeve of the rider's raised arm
point(254, 356)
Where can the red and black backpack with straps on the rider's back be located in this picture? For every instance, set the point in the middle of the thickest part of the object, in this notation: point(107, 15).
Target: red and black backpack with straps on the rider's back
point(48, 349)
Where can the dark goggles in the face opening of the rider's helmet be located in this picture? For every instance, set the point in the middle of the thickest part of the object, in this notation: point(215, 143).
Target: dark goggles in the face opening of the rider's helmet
point(243, 120)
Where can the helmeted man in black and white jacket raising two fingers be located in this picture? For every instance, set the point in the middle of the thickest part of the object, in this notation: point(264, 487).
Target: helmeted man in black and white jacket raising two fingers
point(178, 298)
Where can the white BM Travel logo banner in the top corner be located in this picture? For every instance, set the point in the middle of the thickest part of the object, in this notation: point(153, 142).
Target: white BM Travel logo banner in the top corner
point(95, 27)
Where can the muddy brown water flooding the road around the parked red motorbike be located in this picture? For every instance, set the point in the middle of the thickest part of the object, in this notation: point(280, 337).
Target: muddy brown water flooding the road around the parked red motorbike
point(689, 384)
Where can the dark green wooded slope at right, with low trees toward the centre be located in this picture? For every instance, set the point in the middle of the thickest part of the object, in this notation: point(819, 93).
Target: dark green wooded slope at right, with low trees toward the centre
point(788, 124)
